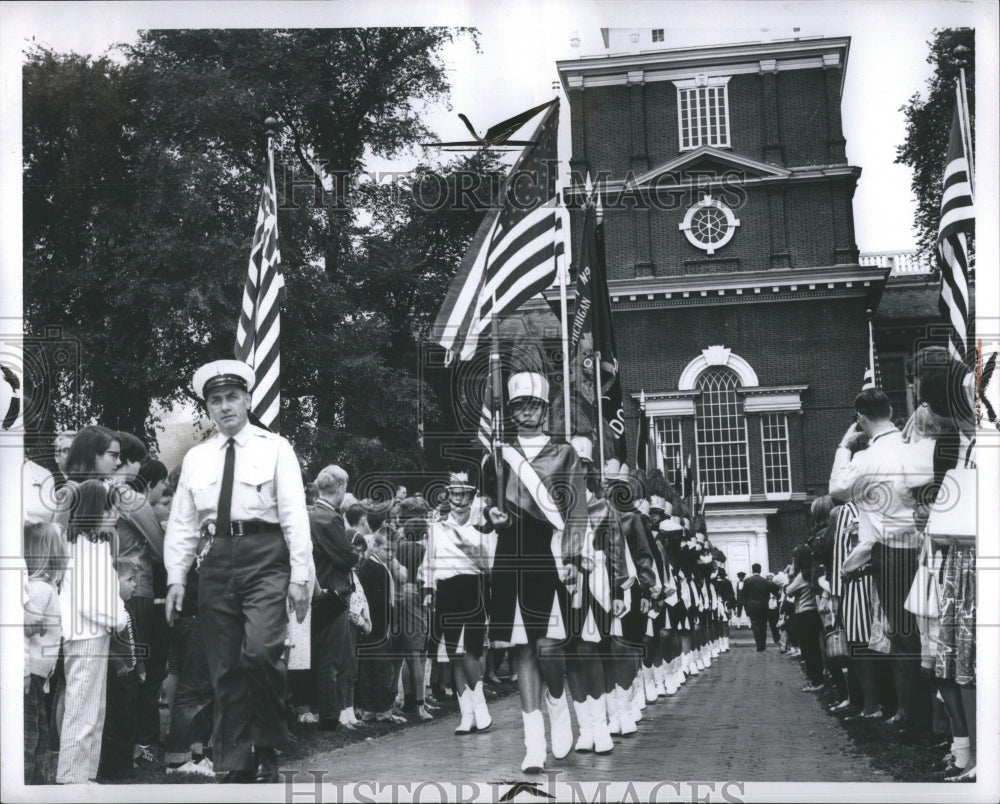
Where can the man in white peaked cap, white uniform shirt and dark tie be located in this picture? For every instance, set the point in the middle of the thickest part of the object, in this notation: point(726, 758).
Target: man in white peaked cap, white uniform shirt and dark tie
point(240, 510)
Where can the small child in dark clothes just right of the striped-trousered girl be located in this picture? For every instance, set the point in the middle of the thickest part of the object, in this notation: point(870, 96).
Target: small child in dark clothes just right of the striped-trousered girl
point(124, 675)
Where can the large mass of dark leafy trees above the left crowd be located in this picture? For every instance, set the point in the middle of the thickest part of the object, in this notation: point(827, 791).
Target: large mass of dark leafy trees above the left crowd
point(141, 184)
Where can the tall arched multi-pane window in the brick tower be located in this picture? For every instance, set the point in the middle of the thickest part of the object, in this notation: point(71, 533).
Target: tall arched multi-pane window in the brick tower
point(723, 465)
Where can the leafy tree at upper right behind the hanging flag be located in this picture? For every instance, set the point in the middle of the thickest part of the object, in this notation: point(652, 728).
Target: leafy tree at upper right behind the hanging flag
point(928, 123)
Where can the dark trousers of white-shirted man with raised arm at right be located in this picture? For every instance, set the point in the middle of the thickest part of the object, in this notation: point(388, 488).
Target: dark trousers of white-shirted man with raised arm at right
point(894, 569)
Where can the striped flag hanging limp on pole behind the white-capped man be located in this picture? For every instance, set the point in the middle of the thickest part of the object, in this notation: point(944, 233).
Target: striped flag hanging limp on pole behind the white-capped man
point(260, 321)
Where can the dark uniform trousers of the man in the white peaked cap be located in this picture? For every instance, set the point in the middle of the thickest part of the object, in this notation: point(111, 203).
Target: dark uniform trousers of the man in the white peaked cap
point(242, 594)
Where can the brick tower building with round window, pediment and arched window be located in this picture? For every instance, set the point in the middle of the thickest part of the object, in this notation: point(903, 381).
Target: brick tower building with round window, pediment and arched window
point(739, 302)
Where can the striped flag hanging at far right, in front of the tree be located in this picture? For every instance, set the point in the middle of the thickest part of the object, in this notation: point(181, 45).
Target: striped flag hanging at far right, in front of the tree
point(957, 225)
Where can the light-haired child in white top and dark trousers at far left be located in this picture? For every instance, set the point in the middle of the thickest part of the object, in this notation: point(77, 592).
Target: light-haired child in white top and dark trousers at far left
point(45, 556)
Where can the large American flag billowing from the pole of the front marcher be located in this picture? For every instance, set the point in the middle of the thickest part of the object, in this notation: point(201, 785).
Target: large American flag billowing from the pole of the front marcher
point(513, 254)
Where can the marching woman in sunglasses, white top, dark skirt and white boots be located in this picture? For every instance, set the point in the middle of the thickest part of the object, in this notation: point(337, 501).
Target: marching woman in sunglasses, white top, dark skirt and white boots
point(456, 574)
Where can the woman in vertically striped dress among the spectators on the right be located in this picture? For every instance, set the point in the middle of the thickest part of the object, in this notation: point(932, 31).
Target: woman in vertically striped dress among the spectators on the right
point(853, 605)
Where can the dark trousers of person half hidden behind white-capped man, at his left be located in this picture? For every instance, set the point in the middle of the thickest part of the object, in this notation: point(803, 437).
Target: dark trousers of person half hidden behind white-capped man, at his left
point(193, 696)
